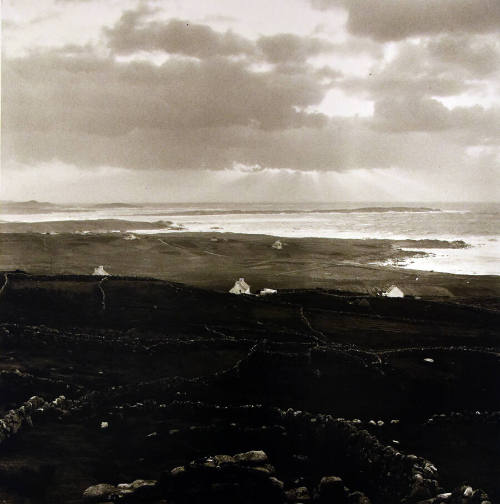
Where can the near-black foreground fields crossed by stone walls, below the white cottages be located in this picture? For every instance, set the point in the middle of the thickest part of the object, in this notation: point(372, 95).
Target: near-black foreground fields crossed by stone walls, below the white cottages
point(136, 390)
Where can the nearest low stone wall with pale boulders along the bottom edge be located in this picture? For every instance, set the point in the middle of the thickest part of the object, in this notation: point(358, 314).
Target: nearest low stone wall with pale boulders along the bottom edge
point(247, 478)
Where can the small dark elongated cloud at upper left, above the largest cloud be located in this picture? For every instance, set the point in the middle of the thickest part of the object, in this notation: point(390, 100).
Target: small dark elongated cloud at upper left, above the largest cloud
point(132, 33)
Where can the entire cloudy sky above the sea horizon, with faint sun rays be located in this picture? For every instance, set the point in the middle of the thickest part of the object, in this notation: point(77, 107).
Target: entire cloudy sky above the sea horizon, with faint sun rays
point(269, 100)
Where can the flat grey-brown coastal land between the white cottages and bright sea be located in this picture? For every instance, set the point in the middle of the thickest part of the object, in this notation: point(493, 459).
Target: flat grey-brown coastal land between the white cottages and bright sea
point(215, 260)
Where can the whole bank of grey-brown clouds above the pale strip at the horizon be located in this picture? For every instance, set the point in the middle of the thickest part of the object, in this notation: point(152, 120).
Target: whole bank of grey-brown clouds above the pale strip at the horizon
point(157, 92)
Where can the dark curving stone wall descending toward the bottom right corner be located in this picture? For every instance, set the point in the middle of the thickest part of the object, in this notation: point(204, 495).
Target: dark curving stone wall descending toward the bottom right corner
point(328, 445)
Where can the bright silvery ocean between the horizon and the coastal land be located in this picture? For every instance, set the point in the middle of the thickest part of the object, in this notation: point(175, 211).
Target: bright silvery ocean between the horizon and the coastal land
point(477, 224)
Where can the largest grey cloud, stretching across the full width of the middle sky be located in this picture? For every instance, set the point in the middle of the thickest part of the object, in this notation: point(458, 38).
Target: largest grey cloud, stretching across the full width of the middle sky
point(92, 111)
